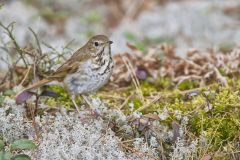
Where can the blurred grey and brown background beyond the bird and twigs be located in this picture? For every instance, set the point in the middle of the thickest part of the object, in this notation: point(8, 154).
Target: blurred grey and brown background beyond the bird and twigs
point(185, 23)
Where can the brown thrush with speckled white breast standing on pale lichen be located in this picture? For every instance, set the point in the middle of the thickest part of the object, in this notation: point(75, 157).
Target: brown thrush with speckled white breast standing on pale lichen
point(88, 69)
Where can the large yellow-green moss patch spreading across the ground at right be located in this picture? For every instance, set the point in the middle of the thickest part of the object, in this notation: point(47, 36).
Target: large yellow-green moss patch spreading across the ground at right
point(213, 113)
